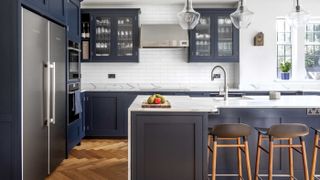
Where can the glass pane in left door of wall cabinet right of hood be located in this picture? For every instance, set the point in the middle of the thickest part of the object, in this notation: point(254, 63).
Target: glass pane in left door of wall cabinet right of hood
point(203, 37)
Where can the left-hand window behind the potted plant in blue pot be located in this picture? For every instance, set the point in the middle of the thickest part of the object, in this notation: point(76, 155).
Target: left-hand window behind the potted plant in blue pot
point(284, 46)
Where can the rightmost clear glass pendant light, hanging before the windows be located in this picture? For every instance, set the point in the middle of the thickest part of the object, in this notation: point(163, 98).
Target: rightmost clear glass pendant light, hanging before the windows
point(297, 17)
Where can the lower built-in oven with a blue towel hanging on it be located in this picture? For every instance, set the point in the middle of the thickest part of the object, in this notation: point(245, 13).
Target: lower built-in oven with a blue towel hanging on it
point(74, 102)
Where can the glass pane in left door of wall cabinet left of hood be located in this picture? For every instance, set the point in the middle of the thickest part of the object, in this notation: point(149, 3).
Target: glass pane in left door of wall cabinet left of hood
point(103, 36)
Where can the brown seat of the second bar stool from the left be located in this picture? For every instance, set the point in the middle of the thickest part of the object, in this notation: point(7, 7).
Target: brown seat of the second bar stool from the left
point(291, 130)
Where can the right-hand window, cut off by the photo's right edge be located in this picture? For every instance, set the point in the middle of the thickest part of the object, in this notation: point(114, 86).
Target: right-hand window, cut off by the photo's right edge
point(312, 51)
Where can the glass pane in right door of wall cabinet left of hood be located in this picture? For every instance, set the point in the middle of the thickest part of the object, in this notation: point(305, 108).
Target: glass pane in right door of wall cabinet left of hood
point(125, 41)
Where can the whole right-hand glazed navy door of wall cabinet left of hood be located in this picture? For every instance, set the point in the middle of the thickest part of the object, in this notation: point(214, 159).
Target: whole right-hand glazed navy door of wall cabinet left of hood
point(127, 38)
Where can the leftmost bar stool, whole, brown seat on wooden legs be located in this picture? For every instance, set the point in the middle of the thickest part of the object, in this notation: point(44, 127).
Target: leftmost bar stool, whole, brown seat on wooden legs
point(232, 132)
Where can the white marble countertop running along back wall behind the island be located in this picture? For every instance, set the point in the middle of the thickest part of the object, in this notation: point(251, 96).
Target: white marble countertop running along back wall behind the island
point(176, 87)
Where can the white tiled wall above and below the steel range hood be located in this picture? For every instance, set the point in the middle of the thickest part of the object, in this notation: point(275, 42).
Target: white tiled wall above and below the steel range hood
point(156, 65)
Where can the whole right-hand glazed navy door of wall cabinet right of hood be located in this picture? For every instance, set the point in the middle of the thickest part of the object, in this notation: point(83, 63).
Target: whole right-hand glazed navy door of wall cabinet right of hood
point(227, 45)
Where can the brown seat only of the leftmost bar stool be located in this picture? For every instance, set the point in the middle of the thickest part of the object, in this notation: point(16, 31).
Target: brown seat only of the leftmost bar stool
point(231, 130)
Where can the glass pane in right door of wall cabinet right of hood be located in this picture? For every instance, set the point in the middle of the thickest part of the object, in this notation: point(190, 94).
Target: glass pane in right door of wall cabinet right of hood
point(225, 36)
